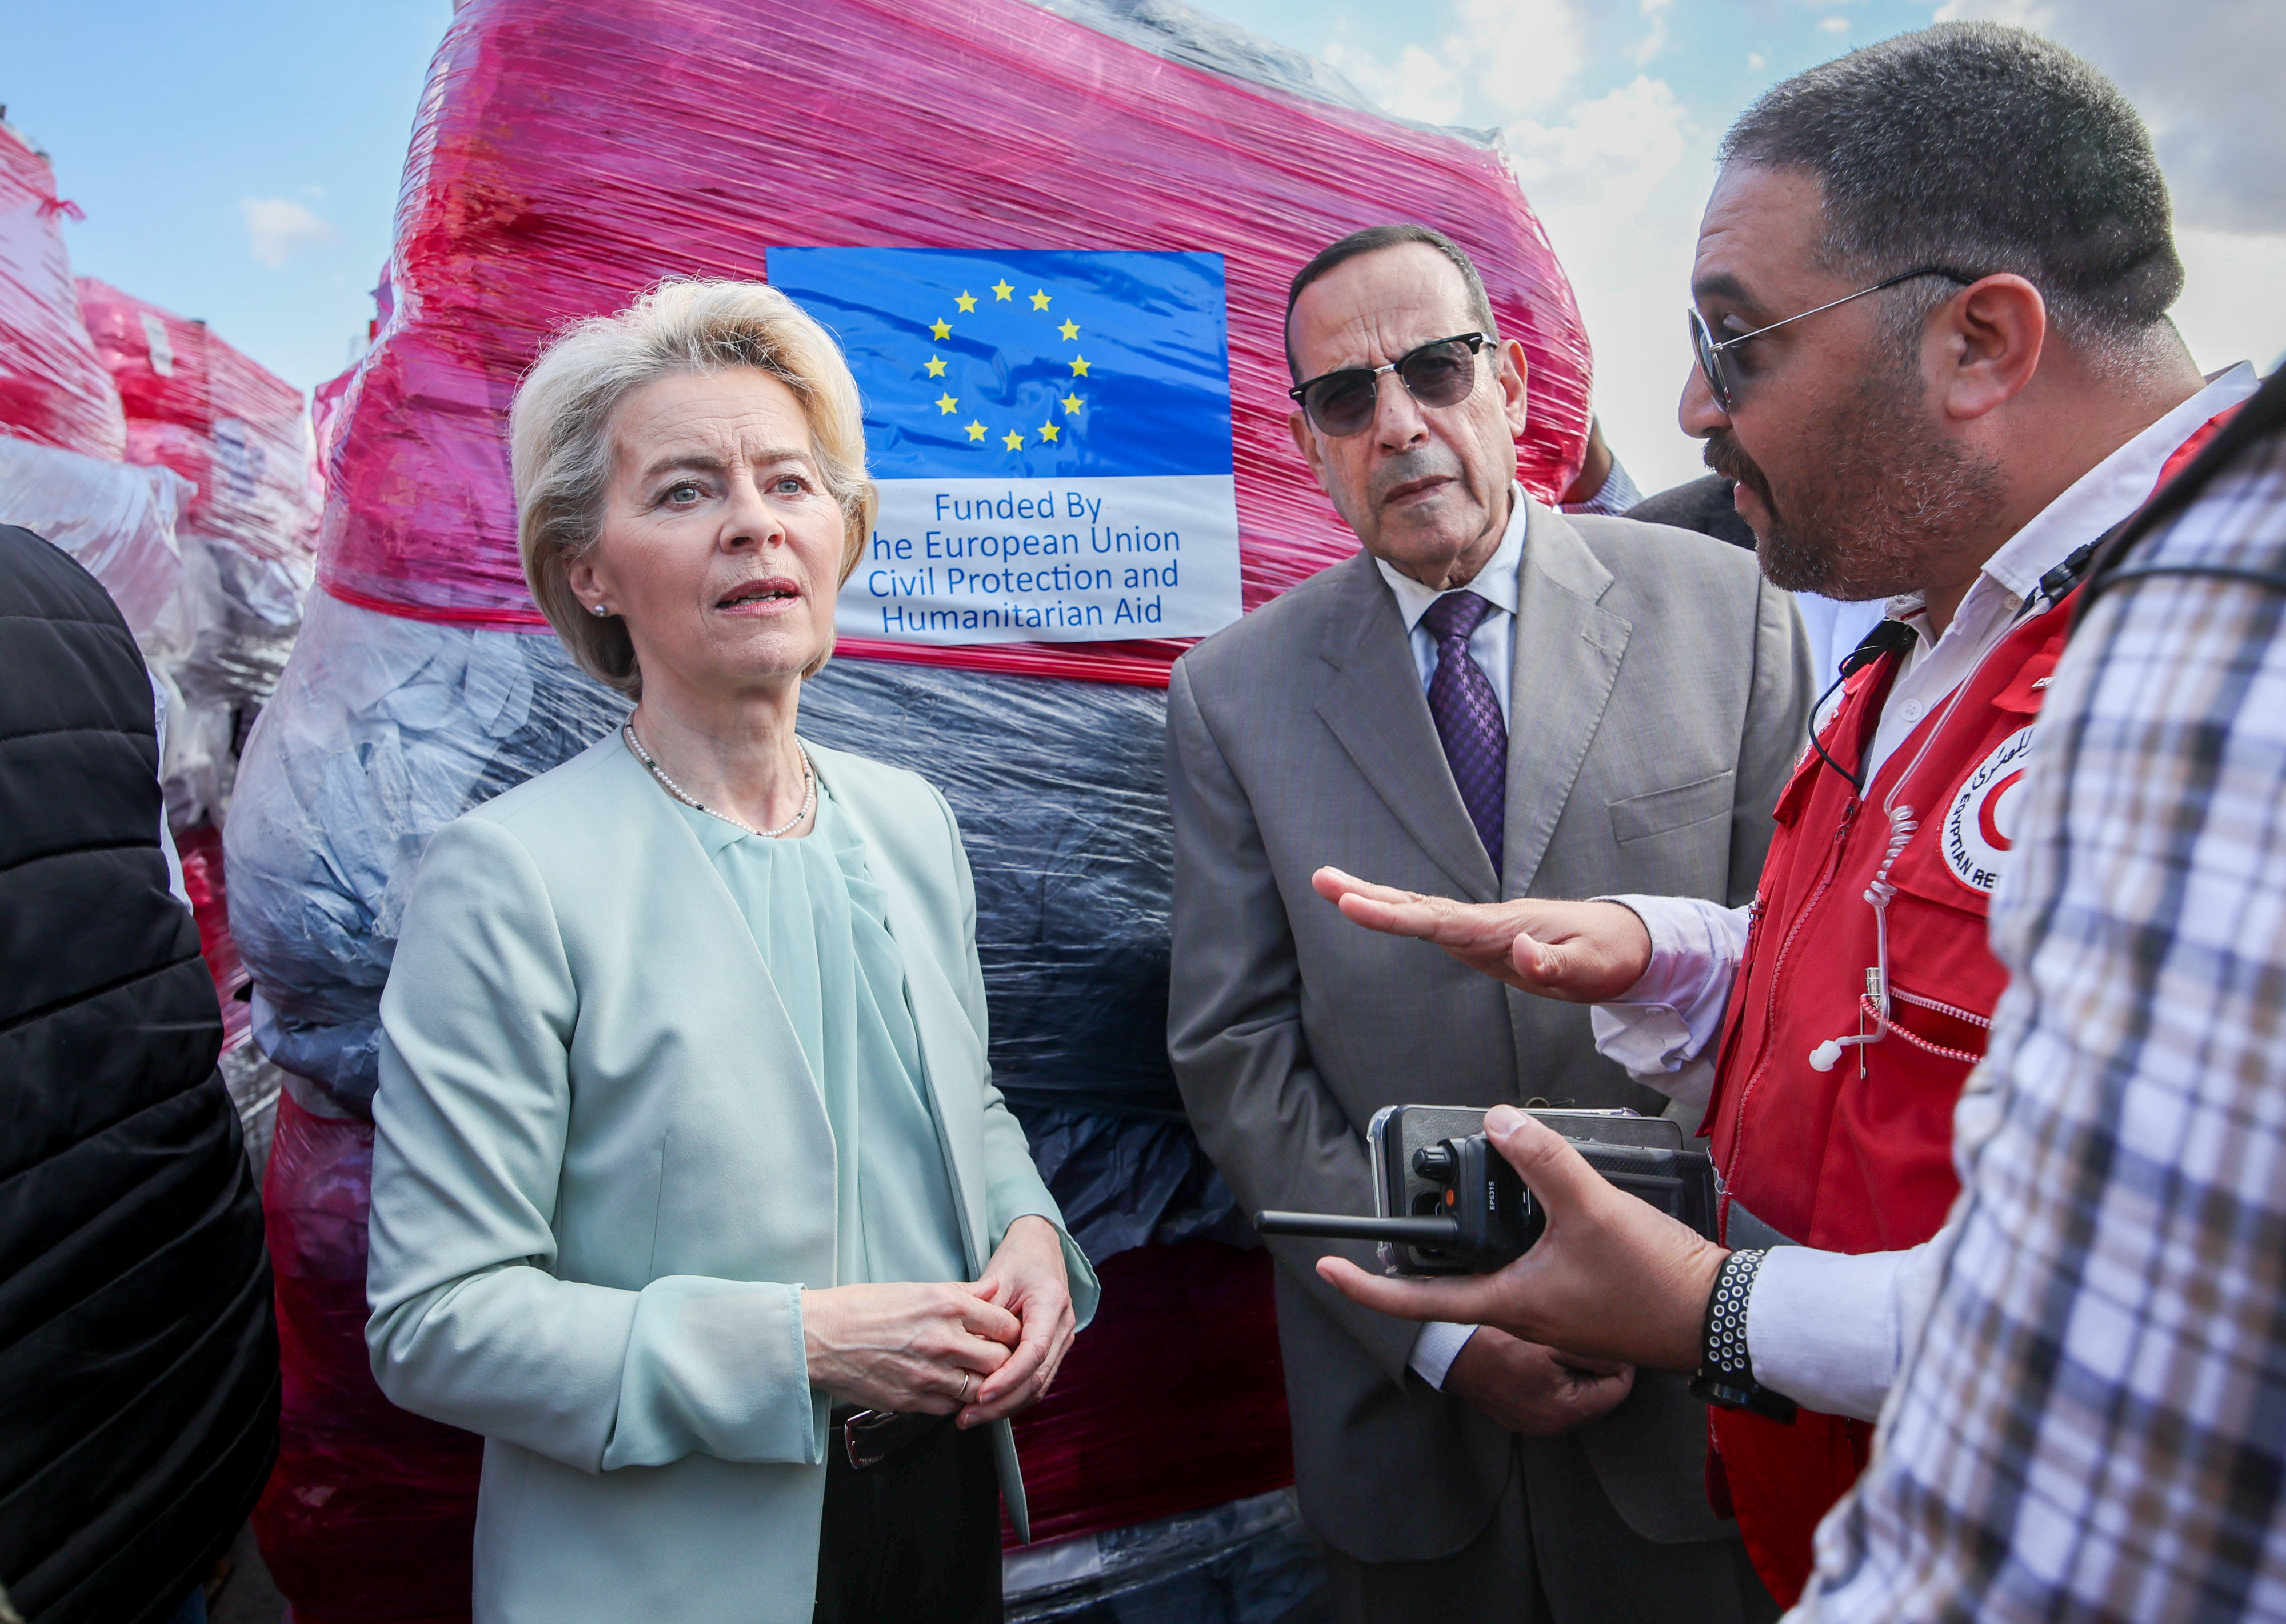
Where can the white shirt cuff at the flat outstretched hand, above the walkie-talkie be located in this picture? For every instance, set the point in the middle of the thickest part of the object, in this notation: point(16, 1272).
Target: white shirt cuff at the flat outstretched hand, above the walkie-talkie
point(1665, 1024)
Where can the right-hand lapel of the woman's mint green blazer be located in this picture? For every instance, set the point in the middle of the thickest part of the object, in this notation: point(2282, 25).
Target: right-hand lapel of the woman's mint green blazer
point(950, 1042)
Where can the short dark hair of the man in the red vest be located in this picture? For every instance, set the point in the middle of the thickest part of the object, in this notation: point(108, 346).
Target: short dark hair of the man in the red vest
point(1988, 150)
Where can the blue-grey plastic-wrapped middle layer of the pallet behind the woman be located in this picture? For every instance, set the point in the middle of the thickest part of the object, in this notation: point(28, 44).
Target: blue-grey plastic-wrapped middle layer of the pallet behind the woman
point(387, 729)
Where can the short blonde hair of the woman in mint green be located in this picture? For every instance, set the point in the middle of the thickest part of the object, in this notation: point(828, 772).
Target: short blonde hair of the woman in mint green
point(561, 433)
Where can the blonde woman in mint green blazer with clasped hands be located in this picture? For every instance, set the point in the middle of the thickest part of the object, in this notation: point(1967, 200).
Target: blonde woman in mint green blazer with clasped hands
point(692, 1191)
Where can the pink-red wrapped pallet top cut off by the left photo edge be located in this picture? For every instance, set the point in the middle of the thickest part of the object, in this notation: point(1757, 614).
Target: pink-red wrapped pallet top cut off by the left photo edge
point(54, 390)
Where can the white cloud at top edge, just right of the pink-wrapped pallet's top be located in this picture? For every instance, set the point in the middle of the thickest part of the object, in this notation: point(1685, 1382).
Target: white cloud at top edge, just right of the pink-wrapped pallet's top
point(1498, 61)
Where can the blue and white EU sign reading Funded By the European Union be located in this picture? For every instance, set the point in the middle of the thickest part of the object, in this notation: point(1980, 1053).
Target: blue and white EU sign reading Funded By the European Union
point(1050, 433)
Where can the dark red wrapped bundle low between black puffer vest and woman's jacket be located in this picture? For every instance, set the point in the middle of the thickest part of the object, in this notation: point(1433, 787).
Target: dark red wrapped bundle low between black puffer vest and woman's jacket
point(371, 1511)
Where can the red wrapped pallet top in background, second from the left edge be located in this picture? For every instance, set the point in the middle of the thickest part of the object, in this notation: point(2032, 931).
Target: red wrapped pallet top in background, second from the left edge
point(205, 411)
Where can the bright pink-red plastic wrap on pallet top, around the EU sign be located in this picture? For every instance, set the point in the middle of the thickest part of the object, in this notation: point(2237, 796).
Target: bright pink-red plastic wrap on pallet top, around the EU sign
point(573, 152)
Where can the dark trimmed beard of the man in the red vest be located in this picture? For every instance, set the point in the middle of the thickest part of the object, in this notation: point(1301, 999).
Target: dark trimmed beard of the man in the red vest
point(1885, 502)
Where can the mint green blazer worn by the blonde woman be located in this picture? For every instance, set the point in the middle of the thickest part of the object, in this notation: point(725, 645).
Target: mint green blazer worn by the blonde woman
point(602, 1170)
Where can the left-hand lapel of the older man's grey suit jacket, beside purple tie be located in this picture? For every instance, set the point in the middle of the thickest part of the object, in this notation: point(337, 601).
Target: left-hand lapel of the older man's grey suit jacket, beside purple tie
point(1377, 710)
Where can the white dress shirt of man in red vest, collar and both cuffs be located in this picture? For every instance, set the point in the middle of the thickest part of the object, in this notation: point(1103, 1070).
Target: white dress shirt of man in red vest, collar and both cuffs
point(1823, 1328)
